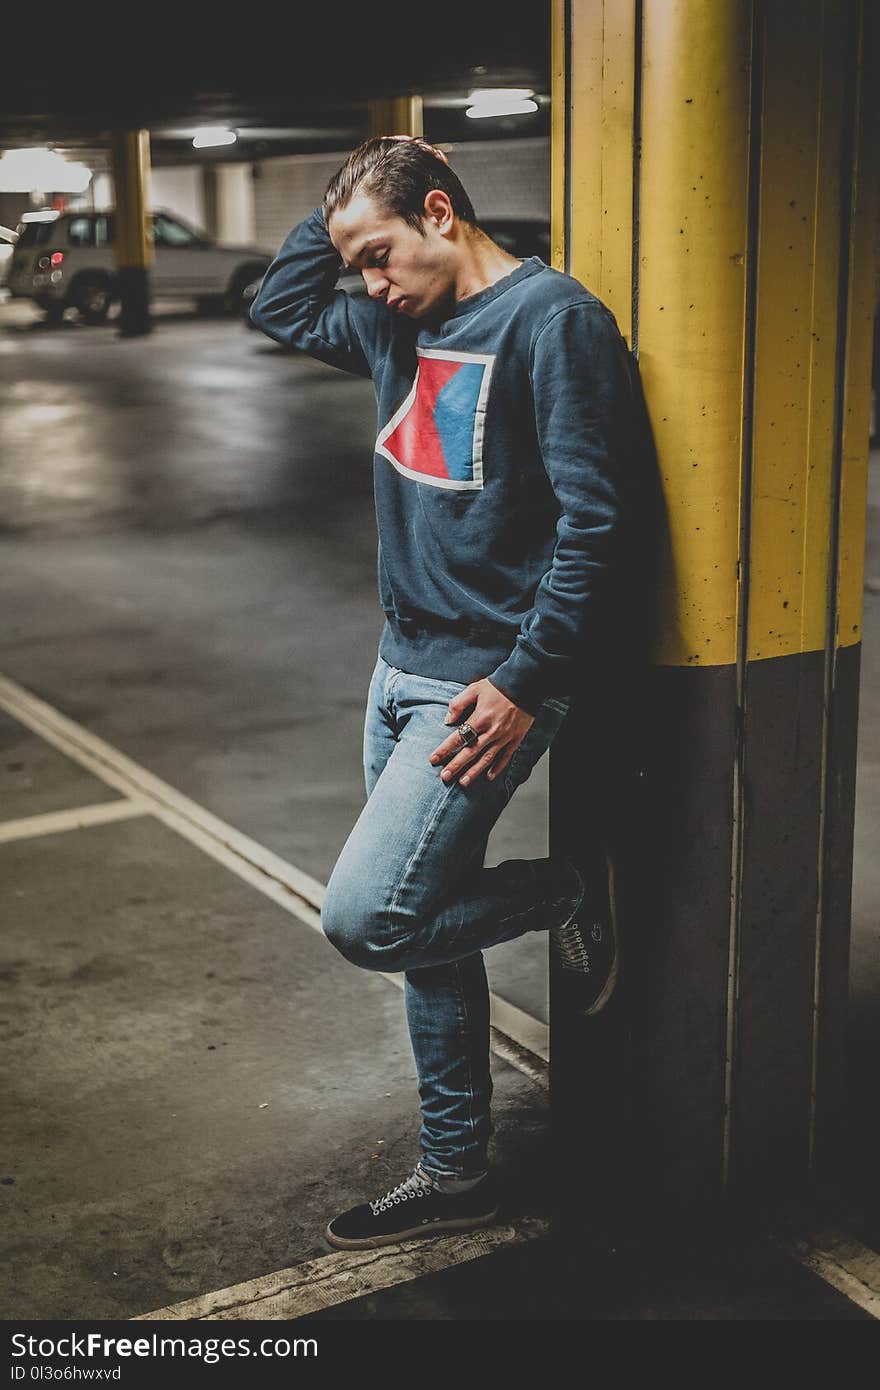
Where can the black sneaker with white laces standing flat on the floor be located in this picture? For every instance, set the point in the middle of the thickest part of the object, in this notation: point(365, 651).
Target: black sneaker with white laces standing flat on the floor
point(416, 1207)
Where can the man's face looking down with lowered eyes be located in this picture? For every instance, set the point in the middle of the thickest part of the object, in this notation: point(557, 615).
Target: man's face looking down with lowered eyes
point(409, 273)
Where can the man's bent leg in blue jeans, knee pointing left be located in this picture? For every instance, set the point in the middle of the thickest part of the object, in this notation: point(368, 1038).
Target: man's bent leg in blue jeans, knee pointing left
point(407, 890)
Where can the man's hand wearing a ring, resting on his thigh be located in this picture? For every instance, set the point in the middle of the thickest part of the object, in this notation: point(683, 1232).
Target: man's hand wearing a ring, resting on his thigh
point(501, 725)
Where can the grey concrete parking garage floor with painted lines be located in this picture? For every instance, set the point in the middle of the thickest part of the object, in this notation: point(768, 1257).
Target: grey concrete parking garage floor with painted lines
point(197, 1081)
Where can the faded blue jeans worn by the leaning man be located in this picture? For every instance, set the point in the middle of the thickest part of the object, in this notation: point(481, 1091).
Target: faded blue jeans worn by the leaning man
point(411, 893)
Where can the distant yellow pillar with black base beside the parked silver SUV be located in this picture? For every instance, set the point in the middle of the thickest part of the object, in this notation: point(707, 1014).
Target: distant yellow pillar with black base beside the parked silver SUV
point(133, 243)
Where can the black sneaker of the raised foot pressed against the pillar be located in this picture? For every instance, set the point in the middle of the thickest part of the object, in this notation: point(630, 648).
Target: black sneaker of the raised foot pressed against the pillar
point(586, 947)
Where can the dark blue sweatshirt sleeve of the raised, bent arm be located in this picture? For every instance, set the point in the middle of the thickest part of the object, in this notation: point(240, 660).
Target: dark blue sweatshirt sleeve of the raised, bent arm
point(298, 304)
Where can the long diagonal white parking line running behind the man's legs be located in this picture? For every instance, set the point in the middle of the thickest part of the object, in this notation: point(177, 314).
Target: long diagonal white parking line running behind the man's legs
point(516, 1038)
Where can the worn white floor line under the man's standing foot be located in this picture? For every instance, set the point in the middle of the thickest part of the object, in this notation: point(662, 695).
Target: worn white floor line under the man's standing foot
point(347, 1274)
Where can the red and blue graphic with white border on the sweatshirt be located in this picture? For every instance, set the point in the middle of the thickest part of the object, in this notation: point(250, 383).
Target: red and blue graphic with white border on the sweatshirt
point(437, 434)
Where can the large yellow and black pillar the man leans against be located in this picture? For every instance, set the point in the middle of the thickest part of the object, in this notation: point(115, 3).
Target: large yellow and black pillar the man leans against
point(715, 180)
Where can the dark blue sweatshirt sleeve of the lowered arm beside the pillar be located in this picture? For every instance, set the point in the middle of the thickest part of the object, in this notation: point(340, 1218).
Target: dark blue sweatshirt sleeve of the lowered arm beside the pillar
point(583, 401)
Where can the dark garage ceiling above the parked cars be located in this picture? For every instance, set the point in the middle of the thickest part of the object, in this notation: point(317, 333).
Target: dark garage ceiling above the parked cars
point(295, 81)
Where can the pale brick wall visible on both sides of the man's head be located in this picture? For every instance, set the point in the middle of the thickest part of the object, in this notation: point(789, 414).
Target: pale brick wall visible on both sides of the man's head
point(505, 179)
